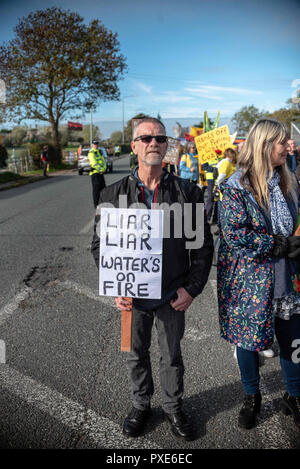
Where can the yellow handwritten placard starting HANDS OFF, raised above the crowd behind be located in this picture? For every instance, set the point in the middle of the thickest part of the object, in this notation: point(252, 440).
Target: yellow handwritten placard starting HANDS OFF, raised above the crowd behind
point(209, 142)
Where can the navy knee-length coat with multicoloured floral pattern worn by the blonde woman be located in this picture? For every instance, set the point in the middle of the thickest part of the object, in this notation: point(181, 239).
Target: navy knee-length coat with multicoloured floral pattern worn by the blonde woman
point(245, 270)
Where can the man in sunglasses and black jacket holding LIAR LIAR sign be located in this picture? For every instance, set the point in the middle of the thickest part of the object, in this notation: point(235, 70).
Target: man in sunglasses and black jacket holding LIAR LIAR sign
point(156, 269)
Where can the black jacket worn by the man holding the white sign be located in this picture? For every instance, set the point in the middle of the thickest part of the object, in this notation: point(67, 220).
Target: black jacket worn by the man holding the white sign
point(188, 268)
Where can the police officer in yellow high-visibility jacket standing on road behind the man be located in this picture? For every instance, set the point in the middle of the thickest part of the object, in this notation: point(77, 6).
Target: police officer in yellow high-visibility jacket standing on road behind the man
point(98, 167)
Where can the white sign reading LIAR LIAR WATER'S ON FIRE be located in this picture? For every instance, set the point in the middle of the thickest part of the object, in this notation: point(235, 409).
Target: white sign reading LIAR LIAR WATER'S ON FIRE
point(130, 263)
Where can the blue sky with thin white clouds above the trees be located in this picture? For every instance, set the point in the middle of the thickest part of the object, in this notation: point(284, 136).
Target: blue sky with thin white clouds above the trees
point(187, 57)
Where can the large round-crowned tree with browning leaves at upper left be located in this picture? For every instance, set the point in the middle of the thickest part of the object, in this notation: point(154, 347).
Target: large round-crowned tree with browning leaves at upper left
point(56, 66)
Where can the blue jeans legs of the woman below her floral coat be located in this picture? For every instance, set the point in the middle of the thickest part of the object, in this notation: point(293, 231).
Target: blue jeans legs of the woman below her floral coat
point(288, 337)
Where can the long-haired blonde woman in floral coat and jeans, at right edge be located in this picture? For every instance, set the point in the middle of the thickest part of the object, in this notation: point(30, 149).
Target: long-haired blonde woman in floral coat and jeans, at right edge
point(258, 264)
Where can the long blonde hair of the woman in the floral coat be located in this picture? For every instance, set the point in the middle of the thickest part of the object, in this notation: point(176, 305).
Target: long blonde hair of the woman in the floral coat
point(255, 160)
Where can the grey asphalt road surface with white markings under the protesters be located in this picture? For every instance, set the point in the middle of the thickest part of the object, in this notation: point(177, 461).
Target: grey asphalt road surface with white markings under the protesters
point(63, 382)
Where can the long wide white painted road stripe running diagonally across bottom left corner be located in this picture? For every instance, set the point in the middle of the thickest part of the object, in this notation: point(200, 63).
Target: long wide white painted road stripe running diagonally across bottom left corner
point(100, 431)
